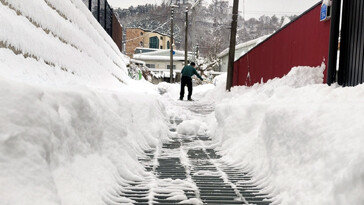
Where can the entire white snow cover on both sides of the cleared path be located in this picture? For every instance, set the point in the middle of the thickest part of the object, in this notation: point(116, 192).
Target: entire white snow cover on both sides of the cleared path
point(72, 124)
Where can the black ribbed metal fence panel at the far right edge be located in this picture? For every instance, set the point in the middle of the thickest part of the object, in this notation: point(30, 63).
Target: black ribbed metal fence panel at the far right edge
point(351, 66)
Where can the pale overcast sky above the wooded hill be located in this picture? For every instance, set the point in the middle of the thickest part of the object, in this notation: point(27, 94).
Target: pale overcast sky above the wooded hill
point(253, 8)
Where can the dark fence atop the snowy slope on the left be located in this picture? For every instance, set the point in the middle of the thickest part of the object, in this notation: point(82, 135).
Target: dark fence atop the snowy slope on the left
point(104, 14)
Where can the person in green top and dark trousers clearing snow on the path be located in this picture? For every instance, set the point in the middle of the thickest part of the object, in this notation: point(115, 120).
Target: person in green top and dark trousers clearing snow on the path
point(187, 72)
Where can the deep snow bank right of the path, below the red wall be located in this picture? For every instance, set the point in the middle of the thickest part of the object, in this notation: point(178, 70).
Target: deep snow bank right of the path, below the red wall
point(302, 138)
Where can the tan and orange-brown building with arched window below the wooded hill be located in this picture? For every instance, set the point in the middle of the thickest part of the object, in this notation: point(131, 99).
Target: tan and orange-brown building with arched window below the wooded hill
point(137, 37)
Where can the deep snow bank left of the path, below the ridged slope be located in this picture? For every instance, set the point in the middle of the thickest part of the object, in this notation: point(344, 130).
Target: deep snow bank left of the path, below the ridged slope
point(66, 146)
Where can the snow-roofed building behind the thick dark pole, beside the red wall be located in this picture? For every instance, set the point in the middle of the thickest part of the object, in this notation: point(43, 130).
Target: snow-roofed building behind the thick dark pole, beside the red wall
point(240, 50)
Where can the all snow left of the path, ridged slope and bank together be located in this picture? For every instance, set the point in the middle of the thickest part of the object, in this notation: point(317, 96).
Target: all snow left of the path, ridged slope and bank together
point(71, 131)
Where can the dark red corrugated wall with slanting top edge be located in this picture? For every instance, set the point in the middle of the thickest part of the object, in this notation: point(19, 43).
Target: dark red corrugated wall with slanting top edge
point(303, 42)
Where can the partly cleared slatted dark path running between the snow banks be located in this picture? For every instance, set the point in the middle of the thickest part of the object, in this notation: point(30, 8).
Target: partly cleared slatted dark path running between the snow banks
point(188, 170)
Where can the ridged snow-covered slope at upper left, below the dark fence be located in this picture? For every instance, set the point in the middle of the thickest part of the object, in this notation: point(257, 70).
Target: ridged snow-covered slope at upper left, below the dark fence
point(57, 42)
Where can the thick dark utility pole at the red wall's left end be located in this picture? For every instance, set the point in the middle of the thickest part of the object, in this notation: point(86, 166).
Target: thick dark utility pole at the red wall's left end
point(229, 80)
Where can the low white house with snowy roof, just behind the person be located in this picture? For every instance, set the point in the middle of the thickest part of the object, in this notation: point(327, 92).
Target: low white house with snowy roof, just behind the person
point(158, 60)
